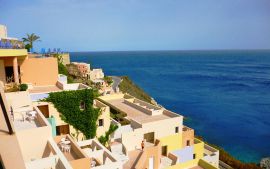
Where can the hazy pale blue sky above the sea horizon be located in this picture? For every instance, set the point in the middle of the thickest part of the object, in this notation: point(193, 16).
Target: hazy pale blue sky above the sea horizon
point(105, 25)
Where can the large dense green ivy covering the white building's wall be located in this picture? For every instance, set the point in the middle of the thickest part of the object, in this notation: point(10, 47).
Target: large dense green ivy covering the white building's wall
point(68, 104)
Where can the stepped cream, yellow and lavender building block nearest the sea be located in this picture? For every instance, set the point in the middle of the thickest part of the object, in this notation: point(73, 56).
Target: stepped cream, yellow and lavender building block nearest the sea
point(167, 143)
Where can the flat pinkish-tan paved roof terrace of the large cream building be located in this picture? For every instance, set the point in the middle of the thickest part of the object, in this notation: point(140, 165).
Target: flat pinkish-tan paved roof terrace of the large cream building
point(135, 114)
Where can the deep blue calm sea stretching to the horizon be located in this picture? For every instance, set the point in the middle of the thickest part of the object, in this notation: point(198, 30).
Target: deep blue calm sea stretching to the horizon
point(224, 94)
